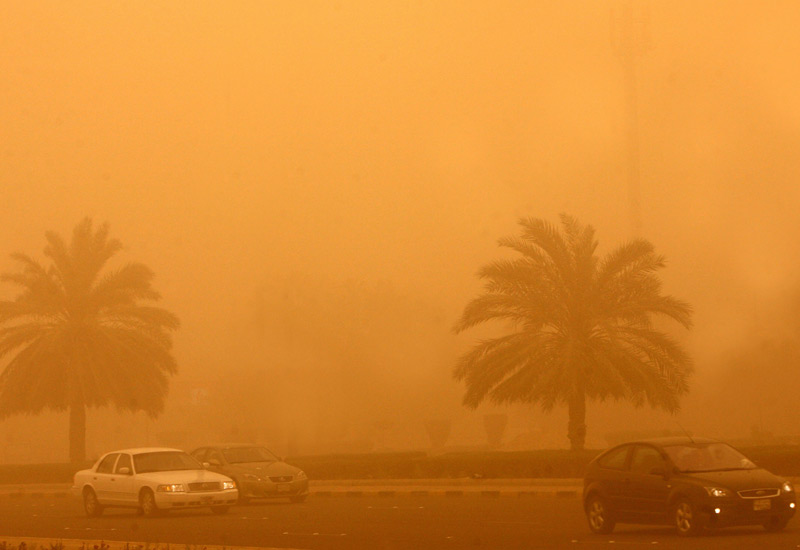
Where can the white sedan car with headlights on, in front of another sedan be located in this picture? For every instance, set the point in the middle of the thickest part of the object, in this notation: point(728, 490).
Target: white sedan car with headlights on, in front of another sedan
point(152, 480)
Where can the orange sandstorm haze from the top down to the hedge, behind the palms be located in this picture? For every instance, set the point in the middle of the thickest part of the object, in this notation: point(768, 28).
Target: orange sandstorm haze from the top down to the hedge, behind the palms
point(316, 185)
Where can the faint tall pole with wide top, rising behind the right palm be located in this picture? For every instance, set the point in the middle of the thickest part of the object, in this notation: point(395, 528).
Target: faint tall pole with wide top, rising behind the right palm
point(630, 40)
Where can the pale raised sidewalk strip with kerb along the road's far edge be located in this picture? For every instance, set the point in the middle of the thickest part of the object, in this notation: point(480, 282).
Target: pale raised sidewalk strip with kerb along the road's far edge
point(377, 487)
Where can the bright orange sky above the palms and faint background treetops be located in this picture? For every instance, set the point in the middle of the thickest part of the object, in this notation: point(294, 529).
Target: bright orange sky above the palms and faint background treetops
point(234, 144)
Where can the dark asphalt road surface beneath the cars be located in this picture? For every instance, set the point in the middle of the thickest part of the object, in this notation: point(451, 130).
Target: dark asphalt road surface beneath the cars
point(378, 523)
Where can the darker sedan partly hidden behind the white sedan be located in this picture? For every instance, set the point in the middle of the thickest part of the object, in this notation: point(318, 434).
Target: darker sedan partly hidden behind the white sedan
point(258, 473)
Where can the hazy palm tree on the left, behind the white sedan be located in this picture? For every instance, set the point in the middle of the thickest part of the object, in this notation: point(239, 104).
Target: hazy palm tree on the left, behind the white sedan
point(78, 338)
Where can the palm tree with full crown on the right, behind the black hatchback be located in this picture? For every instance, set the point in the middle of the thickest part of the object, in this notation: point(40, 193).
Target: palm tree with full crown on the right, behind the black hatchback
point(582, 326)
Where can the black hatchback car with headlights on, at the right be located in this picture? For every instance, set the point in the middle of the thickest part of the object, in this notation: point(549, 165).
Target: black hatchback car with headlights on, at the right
point(690, 483)
